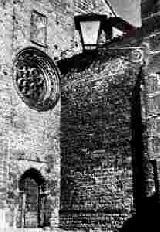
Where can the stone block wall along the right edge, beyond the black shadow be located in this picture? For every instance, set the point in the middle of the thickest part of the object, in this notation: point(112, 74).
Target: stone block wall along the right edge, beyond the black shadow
point(151, 41)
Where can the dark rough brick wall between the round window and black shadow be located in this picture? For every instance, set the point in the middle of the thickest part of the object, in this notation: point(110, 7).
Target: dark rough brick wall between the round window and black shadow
point(96, 137)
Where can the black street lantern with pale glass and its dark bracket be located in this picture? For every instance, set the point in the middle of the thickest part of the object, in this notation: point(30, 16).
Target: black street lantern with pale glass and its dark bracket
point(90, 27)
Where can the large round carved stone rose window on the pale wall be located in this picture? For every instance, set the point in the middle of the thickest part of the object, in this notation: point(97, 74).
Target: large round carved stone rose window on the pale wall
point(36, 79)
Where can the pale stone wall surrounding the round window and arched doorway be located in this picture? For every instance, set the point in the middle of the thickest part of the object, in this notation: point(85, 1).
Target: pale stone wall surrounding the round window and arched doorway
point(29, 139)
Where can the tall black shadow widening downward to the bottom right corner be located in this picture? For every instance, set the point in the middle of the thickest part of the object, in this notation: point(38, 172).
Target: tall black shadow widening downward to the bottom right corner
point(147, 208)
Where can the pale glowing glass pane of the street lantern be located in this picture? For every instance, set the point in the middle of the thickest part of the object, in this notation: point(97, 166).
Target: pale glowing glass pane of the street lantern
point(89, 30)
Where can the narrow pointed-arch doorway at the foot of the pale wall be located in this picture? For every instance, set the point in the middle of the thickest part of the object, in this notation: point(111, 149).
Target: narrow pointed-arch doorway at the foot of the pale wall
point(32, 200)
